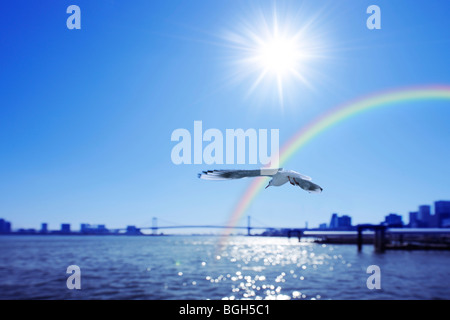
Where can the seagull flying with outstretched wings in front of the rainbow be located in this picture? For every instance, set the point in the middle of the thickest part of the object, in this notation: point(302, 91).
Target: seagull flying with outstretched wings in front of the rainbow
point(279, 177)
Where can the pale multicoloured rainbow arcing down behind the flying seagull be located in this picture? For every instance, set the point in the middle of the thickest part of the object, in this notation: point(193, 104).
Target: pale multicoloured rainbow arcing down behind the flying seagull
point(327, 121)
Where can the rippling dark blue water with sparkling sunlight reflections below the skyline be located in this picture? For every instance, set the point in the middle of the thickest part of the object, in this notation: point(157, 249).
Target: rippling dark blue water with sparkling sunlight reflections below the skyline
point(194, 267)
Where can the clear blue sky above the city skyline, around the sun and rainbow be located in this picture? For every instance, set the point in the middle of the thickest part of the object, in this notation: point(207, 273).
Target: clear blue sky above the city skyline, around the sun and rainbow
point(86, 115)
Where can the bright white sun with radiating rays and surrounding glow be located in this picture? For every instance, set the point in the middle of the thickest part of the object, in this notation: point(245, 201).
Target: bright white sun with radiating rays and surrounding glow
point(268, 50)
